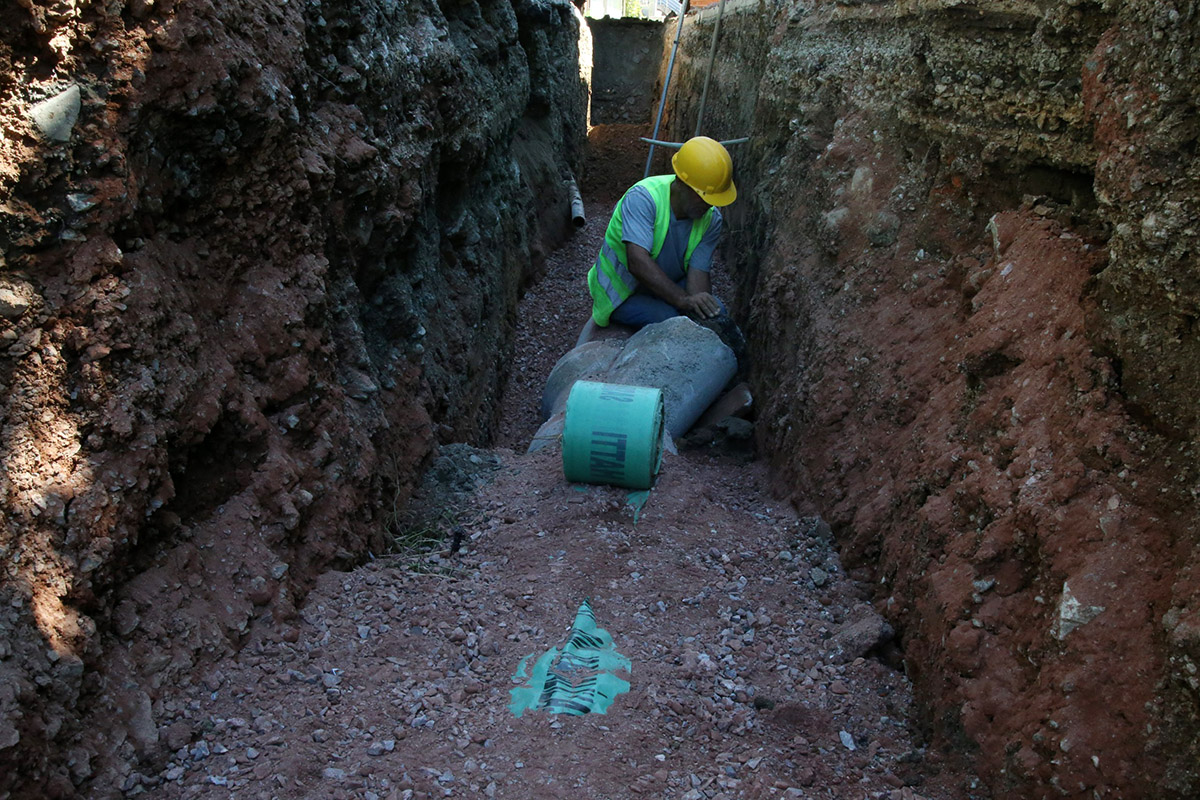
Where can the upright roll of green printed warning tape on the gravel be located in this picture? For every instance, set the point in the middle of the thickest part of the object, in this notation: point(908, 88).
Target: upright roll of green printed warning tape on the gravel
point(613, 435)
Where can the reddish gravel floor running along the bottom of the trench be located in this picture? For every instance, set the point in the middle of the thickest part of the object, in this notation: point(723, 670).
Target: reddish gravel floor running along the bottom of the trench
point(735, 613)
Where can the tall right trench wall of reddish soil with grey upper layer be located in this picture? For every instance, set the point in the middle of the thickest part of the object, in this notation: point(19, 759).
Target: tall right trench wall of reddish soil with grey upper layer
point(967, 256)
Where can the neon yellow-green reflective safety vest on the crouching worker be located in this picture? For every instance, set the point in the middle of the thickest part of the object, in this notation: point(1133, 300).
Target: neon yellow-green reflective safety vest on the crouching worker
point(609, 280)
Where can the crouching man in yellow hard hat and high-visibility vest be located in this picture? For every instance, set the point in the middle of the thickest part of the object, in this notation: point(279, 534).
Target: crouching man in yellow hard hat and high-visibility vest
point(658, 250)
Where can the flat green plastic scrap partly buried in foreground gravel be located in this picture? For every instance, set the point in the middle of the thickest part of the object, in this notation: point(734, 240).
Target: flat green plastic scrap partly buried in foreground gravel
point(579, 678)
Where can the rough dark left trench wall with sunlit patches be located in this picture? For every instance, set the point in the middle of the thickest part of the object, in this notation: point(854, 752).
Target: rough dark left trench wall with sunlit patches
point(265, 256)
